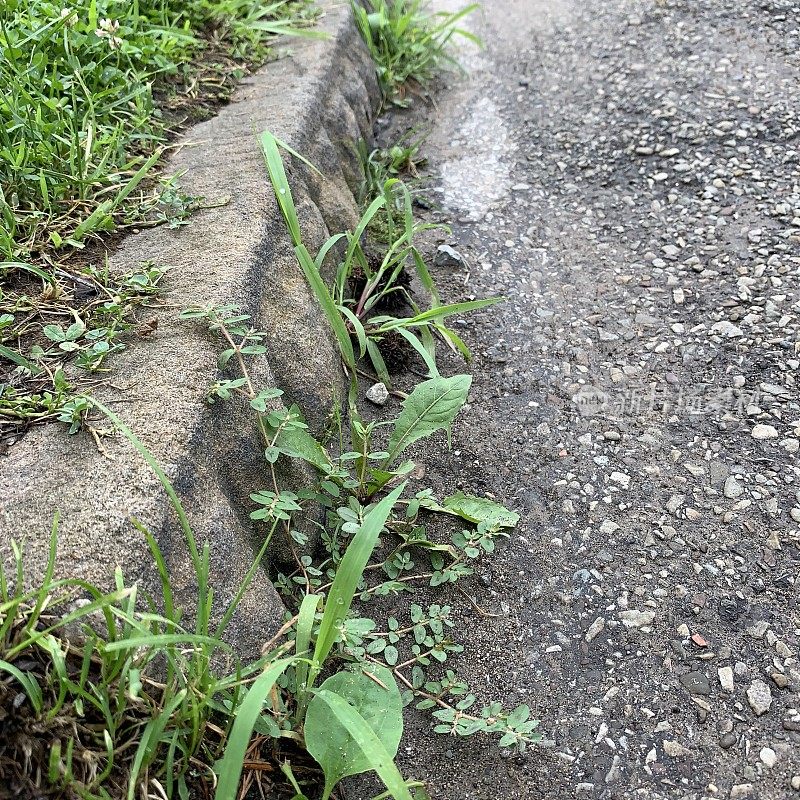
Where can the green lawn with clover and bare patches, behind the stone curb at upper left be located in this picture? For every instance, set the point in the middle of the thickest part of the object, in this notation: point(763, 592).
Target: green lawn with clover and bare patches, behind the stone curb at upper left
point(92, 92)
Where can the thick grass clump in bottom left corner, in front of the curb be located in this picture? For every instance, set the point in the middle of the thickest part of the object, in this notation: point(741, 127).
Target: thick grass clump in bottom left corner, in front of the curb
point(101, 696)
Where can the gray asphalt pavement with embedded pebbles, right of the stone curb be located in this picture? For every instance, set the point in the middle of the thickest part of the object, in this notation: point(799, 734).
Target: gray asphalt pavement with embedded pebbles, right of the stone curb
point(627, 175)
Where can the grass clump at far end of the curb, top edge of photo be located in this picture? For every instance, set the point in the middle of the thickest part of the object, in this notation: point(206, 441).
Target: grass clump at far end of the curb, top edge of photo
point(408, 42)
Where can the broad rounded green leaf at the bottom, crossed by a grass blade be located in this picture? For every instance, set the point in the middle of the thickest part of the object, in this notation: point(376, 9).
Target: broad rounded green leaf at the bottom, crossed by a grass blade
point(380, 706)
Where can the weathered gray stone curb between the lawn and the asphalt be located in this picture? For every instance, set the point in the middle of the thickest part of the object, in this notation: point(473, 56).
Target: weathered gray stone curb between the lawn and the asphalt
point(320, 99)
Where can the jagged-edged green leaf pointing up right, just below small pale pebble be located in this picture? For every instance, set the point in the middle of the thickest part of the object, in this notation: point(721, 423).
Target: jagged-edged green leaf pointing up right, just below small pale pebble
point(431, 407)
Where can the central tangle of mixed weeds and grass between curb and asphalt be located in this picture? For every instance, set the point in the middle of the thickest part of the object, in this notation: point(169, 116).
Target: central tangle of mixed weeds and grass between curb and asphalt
point(347, 724)
